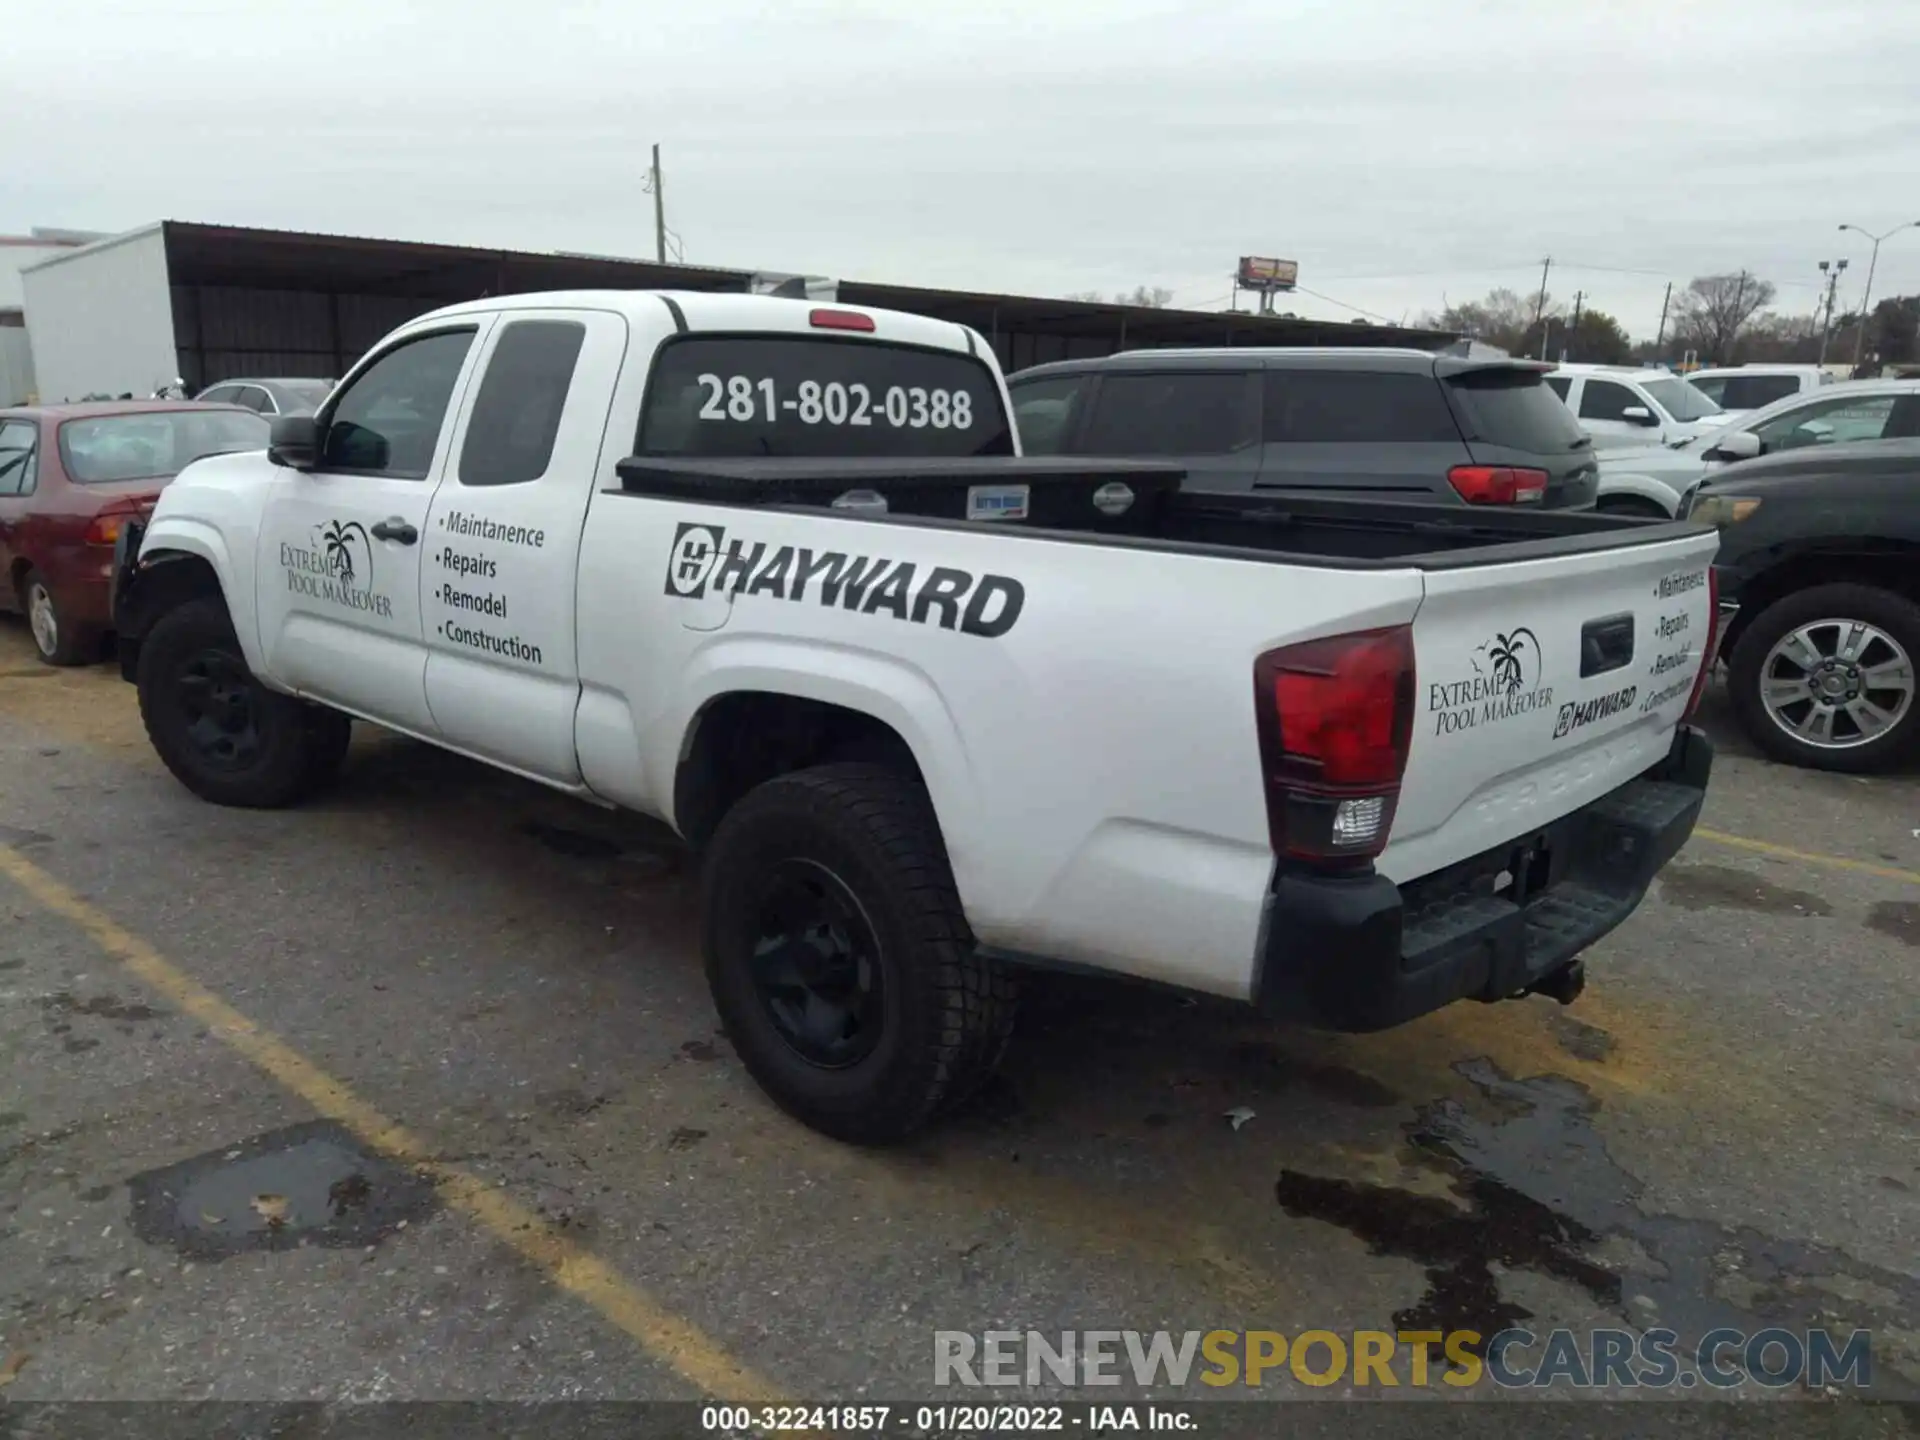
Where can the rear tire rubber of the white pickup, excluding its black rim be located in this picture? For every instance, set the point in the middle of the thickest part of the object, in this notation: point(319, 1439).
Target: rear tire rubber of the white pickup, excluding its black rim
point(949, 1011)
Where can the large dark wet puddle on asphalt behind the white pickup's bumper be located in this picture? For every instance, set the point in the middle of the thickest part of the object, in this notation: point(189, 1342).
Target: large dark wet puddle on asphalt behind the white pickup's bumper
point(1535, 1189)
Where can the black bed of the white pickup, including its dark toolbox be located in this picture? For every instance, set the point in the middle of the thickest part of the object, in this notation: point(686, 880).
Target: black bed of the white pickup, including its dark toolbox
point(1318, 533)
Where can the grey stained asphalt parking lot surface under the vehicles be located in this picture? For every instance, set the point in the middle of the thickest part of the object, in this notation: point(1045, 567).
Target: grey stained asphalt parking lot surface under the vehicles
point(416, 1093)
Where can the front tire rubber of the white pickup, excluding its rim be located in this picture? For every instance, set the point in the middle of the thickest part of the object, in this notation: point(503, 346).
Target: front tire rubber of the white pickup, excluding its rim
point(297, 746)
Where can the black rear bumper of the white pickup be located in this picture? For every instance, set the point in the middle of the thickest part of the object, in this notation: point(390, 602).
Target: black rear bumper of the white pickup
point(1362, 953)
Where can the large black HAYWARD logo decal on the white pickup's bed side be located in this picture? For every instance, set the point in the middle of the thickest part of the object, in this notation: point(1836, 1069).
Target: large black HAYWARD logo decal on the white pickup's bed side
point(706, 562)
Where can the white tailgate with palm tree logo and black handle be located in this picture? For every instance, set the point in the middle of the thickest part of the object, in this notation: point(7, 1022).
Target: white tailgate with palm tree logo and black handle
point(1543, 686)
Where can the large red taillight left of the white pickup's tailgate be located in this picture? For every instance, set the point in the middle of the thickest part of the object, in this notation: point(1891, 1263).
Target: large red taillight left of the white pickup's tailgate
point(1335, 723)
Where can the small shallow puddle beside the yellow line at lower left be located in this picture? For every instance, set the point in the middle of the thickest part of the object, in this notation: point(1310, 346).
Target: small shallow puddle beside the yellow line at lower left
point(310, 1184)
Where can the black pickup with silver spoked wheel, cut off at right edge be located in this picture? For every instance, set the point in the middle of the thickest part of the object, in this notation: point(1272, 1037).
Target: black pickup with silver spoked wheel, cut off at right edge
point(1819, 579)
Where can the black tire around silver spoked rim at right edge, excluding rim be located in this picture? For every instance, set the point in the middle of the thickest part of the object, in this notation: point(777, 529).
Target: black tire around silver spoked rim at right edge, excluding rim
point(1884, 610)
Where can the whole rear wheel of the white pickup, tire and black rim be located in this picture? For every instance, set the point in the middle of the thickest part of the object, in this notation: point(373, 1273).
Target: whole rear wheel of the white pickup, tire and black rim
point(840, 957)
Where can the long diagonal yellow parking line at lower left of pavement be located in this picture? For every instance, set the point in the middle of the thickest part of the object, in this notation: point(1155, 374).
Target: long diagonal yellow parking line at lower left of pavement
point(671, 1339)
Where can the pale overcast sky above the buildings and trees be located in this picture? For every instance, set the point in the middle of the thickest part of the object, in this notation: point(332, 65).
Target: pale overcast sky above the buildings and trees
point(1403, 153)
